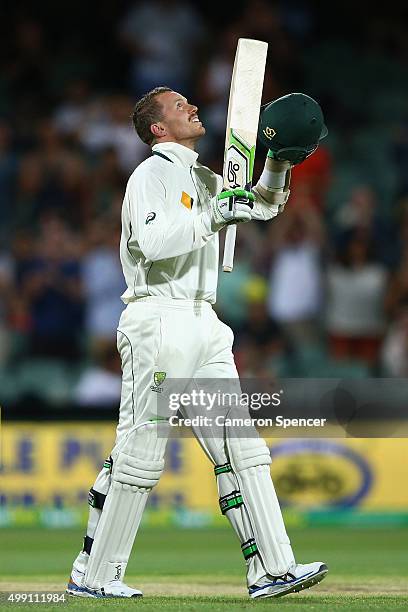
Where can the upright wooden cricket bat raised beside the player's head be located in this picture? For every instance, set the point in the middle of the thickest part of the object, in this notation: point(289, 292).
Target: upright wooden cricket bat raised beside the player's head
point(242, 125)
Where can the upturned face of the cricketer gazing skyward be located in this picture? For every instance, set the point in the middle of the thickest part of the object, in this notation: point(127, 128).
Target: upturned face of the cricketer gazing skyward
point(180, 119)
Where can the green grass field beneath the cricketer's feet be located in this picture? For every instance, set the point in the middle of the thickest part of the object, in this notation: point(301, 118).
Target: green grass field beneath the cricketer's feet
point(203, 570)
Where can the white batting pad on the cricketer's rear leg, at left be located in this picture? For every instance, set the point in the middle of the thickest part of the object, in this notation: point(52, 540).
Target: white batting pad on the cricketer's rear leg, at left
point(138, 463)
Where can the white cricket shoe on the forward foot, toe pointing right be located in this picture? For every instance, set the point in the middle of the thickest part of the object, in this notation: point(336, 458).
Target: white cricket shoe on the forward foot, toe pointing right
point(298, 578)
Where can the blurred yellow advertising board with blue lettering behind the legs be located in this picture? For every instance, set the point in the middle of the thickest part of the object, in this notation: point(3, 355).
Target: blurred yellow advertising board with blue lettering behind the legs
point(55, 464)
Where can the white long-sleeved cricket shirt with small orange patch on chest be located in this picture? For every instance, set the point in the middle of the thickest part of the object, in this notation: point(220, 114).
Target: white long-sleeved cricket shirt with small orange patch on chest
point(167, 247)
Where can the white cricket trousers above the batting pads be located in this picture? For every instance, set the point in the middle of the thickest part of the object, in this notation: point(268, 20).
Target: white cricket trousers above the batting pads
point(182, 338)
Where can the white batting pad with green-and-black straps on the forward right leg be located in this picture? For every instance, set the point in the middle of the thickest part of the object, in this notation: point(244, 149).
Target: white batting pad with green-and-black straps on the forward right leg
point(248, 500)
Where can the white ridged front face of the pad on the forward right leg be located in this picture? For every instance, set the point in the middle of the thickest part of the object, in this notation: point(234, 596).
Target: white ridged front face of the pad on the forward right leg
point(250, 460)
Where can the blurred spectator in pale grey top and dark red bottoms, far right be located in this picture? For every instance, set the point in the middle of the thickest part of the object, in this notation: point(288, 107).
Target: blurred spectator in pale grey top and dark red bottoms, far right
point(355, 306)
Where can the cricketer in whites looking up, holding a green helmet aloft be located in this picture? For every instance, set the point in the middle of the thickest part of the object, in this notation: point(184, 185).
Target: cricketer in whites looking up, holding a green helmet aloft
point(173, 209)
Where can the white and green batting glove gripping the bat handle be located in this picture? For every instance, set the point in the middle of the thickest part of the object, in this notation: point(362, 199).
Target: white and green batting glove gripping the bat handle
point(233, 206)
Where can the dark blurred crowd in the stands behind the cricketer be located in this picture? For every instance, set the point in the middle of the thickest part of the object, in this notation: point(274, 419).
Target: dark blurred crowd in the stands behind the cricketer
point(320, 291)
